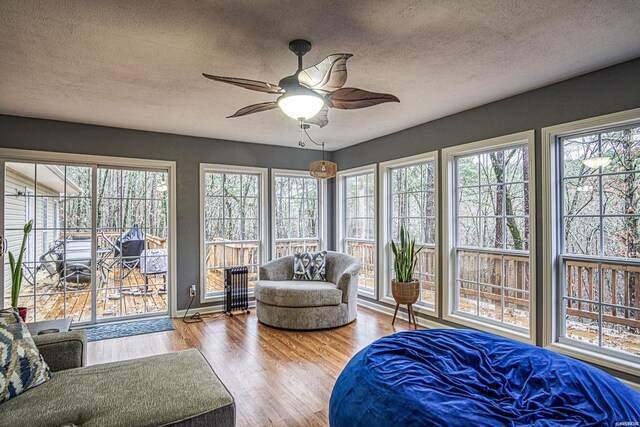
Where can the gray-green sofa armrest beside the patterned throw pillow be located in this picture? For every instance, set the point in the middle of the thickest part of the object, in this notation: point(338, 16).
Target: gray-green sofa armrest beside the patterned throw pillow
point(64, 350)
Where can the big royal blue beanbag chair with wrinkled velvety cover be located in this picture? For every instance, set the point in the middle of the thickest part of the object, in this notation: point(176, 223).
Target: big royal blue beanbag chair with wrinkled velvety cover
point(467, 378)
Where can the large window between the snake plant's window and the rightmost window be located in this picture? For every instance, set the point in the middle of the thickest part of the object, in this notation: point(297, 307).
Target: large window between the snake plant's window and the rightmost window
point(490, 231)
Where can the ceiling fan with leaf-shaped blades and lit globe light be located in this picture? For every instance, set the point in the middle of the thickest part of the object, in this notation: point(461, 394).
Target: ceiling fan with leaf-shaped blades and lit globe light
point(307, 94)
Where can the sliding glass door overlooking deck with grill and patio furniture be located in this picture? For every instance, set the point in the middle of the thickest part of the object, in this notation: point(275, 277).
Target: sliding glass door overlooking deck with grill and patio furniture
point(99, 245)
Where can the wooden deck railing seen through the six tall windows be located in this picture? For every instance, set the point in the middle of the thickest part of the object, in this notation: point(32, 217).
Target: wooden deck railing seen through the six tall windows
point(502, 278)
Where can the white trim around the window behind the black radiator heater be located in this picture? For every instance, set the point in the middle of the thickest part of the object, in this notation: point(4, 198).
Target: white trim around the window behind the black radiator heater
point(263, 220)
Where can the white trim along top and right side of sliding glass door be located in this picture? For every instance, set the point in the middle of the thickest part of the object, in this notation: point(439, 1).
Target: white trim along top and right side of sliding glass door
point(90, 159)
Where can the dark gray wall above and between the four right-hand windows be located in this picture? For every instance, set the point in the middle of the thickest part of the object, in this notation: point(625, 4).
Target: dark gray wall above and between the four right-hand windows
point(609, 90)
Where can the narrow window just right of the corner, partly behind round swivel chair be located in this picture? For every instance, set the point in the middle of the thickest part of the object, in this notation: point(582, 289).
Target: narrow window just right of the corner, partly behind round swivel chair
point(357, 223)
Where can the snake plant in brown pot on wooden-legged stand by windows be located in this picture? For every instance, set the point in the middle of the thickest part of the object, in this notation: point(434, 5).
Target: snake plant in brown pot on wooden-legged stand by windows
point(404, 288)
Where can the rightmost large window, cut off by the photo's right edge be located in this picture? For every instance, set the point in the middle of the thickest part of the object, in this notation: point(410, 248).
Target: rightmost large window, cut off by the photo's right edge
point(596, 221)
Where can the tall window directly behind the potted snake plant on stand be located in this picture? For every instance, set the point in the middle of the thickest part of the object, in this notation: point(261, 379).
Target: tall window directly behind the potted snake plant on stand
point(409, 186)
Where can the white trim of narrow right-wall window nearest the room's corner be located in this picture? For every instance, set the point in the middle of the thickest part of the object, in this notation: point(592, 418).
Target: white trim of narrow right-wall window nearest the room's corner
point(341, 210)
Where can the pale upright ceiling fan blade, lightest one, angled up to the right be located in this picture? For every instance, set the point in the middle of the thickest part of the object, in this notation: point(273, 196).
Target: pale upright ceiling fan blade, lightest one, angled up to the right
point(328, 75)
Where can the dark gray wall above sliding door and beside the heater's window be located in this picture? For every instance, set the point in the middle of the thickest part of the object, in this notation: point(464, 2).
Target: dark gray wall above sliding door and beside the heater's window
point(187, 152)
